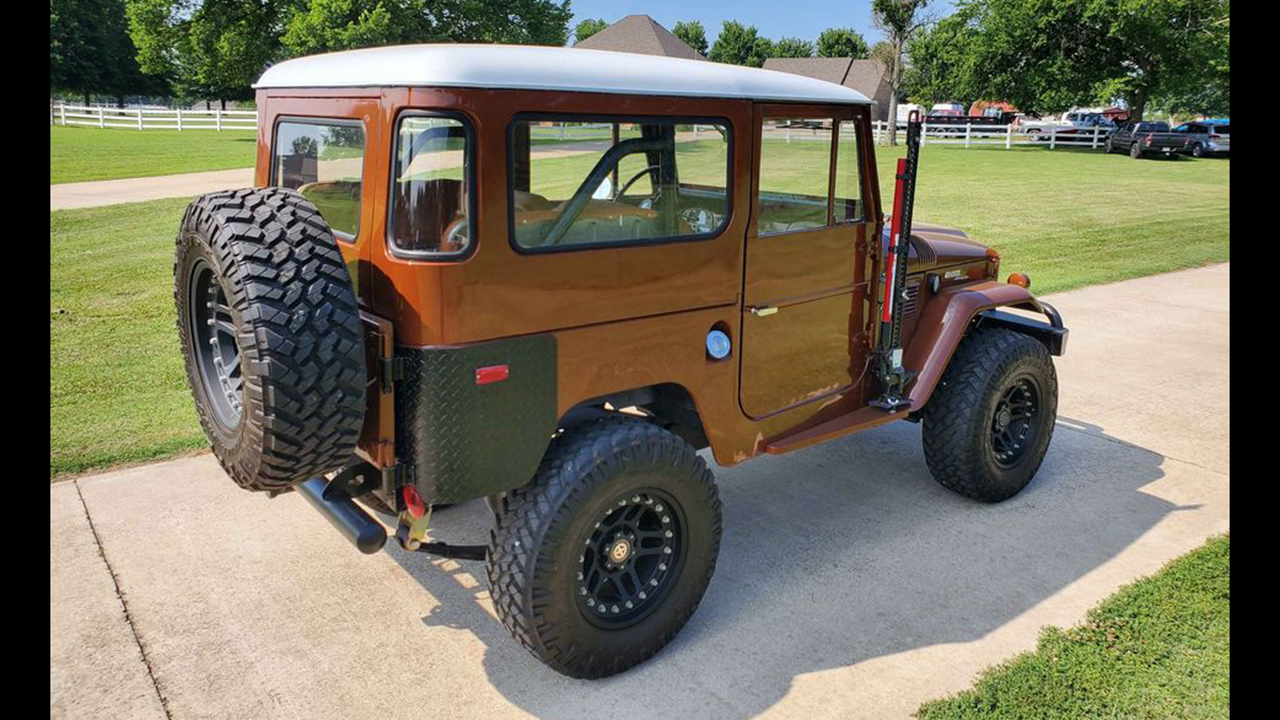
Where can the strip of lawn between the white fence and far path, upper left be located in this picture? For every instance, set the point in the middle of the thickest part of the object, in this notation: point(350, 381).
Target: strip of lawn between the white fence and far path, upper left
point(80, 154)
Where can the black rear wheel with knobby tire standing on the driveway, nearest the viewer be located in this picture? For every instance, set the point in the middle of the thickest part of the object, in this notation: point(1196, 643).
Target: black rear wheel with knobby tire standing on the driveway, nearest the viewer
point(601, 560)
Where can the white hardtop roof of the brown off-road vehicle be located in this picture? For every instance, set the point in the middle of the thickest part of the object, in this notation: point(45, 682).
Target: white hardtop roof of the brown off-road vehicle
point(525, 67)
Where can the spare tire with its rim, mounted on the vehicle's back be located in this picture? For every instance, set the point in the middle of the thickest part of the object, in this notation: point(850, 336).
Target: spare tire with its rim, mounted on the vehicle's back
point(271, 335)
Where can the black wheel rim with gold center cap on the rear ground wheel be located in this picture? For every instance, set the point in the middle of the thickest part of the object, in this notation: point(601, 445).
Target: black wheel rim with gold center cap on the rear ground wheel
point(630, 559)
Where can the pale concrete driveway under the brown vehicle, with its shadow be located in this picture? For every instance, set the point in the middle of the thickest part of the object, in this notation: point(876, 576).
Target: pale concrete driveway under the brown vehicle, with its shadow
point(851, 585)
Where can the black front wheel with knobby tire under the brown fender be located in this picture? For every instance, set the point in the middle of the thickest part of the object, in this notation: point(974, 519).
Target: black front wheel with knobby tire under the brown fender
point(990, 422)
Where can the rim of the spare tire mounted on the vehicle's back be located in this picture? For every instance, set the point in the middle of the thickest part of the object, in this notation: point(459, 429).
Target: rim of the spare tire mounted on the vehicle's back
point(214, 345)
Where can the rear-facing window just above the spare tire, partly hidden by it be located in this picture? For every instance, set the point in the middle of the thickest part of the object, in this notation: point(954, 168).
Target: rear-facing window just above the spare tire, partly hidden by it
point(324, 162)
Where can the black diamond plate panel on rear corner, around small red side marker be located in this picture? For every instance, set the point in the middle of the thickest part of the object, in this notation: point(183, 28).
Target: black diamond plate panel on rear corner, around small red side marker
point(467, 441)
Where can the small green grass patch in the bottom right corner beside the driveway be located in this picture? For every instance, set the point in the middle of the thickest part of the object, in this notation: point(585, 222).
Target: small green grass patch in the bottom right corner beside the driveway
point(1156, 649)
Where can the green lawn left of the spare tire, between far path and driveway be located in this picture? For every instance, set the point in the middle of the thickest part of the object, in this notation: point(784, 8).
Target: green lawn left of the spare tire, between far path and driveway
point(118, 393)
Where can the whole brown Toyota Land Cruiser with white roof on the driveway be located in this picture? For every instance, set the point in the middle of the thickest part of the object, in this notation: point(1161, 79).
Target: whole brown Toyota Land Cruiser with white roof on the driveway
point(551, 277)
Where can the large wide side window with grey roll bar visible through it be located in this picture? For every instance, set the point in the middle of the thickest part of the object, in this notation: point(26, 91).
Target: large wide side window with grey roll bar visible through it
point(616, 181)
